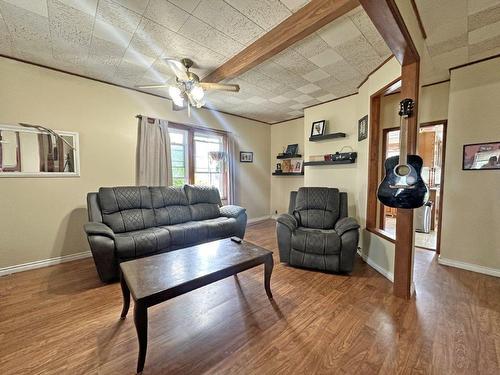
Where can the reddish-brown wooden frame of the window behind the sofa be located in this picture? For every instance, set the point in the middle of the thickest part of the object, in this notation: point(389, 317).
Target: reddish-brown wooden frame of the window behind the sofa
point(191, 131)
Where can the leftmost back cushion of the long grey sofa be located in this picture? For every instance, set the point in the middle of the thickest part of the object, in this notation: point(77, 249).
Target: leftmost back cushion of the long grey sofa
point(126, 208)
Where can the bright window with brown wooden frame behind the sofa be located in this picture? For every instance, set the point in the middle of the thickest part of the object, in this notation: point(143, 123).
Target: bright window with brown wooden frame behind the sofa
point(198, 157)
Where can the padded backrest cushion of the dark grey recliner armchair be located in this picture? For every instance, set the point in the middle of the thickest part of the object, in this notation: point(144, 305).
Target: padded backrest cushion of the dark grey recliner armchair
point(317, 207)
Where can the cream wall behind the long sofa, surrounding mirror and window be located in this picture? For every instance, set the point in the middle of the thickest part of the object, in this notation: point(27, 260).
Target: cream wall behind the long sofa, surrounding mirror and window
point(43, 217)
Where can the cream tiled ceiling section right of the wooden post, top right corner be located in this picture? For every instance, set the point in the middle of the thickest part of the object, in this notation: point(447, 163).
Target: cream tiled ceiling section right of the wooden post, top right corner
point(458, 32)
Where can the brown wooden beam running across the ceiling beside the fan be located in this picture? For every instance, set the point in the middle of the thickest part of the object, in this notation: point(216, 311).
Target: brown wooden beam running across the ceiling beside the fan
point(310, 18)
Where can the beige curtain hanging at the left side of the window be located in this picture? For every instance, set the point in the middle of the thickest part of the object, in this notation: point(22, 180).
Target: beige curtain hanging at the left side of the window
point(154, 167)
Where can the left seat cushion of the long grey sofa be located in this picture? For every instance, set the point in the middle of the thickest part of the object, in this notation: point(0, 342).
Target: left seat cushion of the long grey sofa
point(141, 242)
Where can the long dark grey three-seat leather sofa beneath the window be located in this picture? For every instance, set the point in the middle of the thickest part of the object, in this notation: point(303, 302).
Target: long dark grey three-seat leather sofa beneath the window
point(137, 221)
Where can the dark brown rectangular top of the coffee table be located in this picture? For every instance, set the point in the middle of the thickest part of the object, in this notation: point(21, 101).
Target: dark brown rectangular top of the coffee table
point(194, 265)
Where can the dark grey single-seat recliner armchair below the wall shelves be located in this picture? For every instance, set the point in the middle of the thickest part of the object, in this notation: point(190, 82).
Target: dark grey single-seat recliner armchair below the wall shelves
point(316, 232)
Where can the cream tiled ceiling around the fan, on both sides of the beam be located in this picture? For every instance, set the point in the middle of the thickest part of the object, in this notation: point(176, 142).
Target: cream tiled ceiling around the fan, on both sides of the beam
point(121, 41)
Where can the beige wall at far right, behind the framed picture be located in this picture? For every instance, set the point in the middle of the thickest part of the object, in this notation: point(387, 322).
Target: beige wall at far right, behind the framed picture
point(471, 207)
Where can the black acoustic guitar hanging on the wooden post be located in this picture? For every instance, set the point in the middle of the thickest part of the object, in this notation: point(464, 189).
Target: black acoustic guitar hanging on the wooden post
point(403, 186)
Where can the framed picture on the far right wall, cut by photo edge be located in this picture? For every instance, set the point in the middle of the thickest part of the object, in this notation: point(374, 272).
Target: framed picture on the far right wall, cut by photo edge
point(481, 156)
